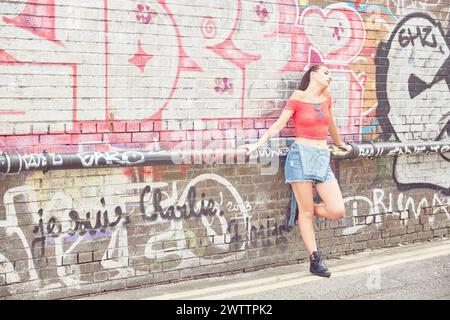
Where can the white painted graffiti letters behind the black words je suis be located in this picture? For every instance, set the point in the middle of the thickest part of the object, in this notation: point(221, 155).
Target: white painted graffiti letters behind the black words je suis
point(61, 228)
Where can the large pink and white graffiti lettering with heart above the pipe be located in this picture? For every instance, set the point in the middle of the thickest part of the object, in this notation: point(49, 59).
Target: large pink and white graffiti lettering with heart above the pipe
point(68, 67)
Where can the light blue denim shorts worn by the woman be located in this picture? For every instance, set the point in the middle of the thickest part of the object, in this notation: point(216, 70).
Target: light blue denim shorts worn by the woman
point(307, 163)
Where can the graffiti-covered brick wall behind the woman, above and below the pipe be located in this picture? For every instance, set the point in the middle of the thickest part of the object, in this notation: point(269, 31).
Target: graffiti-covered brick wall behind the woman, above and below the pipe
point(109, 75)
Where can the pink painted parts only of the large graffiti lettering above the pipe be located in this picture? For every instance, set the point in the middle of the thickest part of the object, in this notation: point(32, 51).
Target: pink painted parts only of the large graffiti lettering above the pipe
point(345, 31)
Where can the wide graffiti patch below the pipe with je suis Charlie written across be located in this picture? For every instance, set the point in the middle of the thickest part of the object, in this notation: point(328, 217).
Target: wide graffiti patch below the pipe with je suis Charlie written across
point(167, 228)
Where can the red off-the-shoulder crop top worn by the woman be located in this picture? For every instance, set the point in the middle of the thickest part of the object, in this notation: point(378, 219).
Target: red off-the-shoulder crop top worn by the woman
point(311, 119)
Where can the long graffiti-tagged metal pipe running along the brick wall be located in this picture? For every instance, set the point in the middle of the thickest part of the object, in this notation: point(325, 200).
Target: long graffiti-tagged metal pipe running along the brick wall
point(13, 162)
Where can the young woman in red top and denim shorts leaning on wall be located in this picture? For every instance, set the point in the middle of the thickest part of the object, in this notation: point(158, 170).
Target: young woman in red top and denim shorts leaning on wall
point(308, 160)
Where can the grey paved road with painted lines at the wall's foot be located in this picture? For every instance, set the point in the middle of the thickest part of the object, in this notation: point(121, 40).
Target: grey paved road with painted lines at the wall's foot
point(417, 271)
